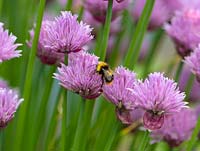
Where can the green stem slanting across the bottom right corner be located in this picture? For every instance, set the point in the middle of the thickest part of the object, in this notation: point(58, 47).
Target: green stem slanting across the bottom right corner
point(194, 136)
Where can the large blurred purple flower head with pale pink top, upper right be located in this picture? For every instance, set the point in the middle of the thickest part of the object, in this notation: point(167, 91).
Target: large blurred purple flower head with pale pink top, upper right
point(184, 29)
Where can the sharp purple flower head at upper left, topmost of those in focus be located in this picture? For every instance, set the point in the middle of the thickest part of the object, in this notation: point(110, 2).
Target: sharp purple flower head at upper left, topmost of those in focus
point(66, 34)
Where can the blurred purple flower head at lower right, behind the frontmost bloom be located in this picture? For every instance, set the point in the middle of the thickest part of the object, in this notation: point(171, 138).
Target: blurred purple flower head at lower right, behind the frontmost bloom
point(176, 128)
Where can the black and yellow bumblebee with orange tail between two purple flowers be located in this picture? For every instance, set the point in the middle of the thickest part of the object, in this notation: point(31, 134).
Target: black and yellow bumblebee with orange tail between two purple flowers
point(104, 70)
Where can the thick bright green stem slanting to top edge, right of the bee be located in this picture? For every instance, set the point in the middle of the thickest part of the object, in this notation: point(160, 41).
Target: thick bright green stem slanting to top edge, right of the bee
point(135, 45)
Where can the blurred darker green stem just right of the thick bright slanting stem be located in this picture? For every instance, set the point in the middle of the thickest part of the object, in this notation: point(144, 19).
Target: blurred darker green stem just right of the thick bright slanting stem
point(153, 49)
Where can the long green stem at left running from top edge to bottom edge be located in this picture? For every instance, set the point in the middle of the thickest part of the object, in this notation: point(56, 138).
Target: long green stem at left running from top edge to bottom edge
point(28, 80)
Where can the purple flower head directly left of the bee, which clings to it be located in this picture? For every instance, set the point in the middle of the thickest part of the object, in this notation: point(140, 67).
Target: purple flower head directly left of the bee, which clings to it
point(80, 75)
